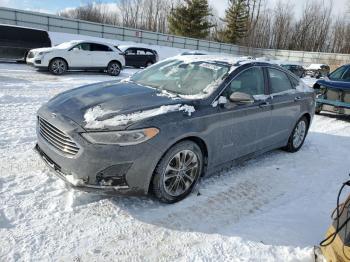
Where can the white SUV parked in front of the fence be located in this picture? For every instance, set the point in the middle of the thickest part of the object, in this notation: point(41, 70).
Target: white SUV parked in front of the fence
point(78, 55)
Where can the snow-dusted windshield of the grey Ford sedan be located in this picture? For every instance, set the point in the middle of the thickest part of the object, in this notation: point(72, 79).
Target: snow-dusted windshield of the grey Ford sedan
point(183, 77)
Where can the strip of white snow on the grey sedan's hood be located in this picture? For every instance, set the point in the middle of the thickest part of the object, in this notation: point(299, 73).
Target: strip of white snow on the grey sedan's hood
point(94, 117)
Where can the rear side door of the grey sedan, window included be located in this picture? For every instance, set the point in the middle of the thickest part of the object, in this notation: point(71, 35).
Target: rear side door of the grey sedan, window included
point(286, 105)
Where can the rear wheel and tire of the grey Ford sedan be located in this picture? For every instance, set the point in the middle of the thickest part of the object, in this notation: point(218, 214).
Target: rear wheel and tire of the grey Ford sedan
point(297, 138)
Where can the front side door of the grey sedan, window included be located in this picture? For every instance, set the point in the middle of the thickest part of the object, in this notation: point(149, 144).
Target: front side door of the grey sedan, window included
point(241, 129)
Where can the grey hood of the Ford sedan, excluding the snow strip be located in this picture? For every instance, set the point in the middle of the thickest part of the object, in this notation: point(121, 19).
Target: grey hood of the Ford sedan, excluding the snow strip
point(113, 98)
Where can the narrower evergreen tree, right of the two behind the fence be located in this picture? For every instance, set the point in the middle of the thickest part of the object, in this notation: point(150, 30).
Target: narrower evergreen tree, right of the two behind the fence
point(237, 19)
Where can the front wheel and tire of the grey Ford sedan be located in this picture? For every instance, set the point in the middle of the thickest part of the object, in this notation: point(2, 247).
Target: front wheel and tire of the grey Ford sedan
point(177, 172)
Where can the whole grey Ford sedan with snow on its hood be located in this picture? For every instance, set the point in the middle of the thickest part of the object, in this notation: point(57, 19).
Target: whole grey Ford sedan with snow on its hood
point(164, 127)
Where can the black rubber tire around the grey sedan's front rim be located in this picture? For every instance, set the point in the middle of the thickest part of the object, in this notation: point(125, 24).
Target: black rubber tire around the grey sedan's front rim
point(158, 178)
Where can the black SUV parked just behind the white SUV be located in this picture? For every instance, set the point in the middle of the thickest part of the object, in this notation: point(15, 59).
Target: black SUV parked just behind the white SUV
point(139, 56)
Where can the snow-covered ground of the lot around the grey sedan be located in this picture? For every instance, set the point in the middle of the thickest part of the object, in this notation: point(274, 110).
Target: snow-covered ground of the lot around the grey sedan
point(273, 208)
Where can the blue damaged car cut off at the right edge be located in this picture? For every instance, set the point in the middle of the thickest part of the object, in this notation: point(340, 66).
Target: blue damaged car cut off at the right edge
point(334, 91)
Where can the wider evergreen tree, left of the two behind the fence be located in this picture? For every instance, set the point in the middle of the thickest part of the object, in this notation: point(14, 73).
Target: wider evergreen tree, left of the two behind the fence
point(190, 19)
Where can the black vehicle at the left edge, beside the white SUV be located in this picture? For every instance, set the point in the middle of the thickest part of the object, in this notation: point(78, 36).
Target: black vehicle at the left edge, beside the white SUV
point(16, 41)
